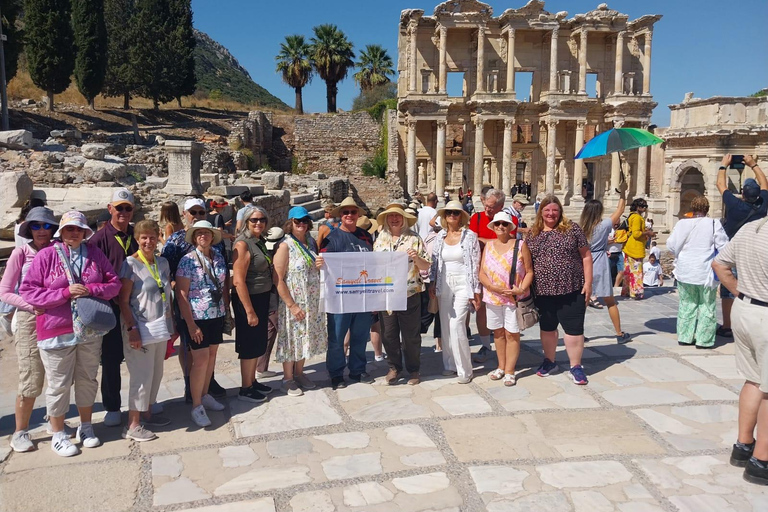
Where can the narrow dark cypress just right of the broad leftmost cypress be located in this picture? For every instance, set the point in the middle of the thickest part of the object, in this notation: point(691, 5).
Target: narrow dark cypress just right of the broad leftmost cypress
point(91, 43)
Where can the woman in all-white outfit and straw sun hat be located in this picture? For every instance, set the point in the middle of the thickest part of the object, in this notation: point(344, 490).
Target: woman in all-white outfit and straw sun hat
point(454, 274)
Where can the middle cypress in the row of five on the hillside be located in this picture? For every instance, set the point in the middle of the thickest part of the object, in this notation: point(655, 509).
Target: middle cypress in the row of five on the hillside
point(121, 75)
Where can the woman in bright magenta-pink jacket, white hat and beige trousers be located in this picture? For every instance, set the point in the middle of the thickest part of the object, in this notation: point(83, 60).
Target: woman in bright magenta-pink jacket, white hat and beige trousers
point(66, 357)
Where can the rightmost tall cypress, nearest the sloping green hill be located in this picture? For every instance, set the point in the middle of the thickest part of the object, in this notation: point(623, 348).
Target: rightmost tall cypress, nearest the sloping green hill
point(181, 45)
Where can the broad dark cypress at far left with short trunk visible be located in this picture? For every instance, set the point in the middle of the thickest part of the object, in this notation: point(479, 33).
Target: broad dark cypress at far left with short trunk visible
point(49, 45)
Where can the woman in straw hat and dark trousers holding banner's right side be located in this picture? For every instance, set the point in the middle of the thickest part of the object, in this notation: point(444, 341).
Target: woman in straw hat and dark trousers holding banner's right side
point(397, 235)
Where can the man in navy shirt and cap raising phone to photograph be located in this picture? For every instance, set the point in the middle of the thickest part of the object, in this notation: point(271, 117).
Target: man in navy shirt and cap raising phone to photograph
point(753, 205)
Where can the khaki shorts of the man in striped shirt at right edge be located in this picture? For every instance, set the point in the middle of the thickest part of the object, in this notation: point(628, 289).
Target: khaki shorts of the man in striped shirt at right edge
point(749, 323)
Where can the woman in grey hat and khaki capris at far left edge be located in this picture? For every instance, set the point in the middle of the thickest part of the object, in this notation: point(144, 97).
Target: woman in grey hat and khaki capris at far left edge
point(38, 227)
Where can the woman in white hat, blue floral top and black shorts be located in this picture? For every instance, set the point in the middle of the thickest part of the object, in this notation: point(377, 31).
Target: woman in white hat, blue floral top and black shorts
point(202, 284)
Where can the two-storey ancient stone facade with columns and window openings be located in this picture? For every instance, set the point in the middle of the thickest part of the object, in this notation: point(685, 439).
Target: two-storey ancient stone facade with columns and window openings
point(483, 132)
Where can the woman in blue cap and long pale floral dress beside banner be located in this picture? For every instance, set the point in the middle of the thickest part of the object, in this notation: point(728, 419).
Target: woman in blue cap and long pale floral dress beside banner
point(301, 325)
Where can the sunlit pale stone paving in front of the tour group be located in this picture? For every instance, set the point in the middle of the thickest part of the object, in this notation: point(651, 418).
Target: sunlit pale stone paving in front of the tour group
point(650, 433)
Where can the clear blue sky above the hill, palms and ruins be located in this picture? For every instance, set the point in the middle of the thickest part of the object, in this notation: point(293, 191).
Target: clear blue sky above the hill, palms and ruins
point(709, 47)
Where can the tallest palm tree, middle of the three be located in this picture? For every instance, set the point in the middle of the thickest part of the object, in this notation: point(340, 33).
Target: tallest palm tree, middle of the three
point(332, 57)
